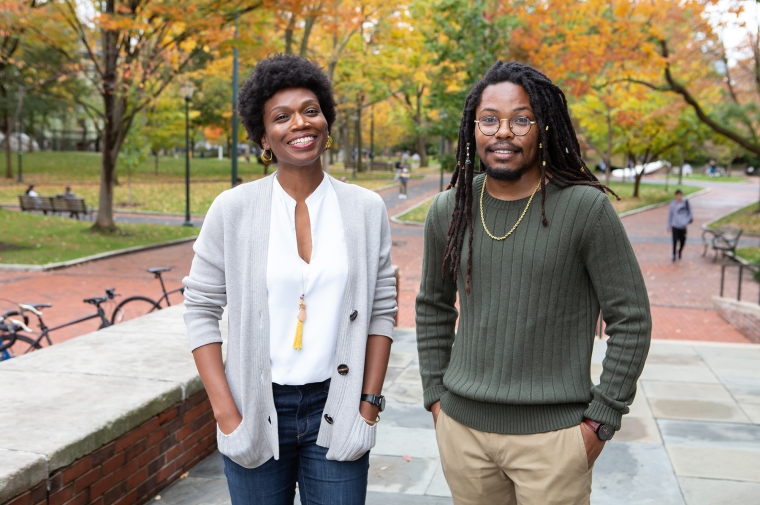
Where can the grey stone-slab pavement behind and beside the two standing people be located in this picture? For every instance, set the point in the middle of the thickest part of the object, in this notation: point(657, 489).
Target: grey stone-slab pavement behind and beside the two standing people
point(692, 437)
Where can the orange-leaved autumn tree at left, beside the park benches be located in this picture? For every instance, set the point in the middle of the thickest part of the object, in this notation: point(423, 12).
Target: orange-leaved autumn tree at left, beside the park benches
point(134, 50)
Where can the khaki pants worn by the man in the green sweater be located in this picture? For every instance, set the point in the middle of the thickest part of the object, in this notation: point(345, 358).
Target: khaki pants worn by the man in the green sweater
point(489, 468)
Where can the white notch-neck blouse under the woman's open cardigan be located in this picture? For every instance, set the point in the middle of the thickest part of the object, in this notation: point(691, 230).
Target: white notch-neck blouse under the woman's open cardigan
point(323, 282)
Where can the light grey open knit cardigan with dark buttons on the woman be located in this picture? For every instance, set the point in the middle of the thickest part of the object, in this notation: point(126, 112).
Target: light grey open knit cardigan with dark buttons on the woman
point(229, 268)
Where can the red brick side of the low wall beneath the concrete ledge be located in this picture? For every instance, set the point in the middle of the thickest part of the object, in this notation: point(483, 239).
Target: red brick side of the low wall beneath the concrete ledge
point(136, 466)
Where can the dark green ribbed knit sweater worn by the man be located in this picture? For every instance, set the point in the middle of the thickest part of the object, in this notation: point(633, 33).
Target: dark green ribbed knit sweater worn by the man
point(521, 357)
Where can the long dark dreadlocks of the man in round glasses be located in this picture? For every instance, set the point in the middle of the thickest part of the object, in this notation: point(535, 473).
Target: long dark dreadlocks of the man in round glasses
point(559, 155)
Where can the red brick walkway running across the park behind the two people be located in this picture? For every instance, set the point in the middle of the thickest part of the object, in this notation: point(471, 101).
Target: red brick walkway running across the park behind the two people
point(680, 293)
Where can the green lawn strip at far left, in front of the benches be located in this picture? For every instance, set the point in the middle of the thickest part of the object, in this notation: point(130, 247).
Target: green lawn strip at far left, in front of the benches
point(37, 240)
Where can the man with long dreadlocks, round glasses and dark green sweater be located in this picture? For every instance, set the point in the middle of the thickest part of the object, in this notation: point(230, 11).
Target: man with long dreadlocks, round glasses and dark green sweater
point(518, 419)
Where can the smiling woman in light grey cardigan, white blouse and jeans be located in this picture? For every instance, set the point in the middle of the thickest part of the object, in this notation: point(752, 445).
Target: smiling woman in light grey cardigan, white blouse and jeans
point(298, 399)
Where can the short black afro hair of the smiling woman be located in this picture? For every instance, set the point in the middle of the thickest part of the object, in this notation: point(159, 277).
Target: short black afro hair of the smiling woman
point(279, 72)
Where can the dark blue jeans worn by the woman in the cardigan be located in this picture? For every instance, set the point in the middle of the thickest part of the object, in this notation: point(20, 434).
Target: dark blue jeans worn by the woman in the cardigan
point(320, 481)
